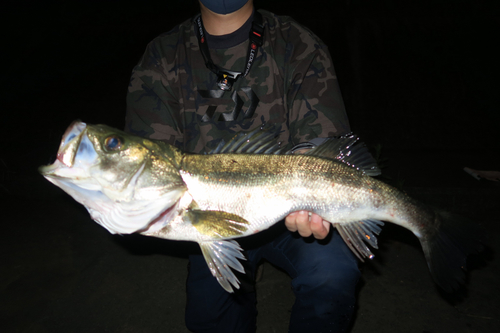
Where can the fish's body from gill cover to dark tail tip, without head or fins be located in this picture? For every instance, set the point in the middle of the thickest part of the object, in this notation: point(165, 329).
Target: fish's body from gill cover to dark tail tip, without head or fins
point(264, 189)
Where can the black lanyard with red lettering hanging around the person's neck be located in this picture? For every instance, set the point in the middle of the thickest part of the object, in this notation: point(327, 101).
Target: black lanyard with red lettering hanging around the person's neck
point(226, 78)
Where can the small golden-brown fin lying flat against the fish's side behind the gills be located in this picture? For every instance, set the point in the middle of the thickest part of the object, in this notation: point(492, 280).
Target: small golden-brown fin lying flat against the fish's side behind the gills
point(217, 224)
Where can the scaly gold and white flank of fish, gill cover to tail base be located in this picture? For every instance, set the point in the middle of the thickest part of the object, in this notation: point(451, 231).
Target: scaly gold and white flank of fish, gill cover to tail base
point(243, 184)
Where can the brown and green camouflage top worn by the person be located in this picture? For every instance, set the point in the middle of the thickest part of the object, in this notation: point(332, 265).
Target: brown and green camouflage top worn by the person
point(292, 84)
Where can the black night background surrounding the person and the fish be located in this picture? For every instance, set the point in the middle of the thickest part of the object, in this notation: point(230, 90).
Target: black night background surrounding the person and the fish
point(420, 85)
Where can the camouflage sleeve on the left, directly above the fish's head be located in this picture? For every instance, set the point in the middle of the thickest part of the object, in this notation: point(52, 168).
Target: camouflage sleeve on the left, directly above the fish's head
point(152, 105)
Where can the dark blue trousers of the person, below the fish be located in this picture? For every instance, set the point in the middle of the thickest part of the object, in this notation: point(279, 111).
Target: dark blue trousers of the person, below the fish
point(324, 277)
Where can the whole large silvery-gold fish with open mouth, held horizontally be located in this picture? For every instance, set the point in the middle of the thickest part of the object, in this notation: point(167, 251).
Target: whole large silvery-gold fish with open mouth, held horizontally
point(130, 184)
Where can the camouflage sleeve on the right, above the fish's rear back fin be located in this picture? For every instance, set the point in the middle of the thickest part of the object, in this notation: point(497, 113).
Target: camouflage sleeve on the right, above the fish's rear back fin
point(316, 108)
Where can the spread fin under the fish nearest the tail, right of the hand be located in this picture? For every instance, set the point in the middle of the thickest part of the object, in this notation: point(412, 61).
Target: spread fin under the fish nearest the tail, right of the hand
point(358, 233)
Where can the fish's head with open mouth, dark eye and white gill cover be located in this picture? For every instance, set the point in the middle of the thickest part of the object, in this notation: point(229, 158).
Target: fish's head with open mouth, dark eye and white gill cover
point(124, 181)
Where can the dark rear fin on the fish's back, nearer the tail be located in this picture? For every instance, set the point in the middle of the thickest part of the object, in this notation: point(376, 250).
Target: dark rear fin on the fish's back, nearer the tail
point(348, 150)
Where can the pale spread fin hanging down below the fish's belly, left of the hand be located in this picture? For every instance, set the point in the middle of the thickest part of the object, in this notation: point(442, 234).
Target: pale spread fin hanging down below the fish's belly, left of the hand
point(221, 256)
